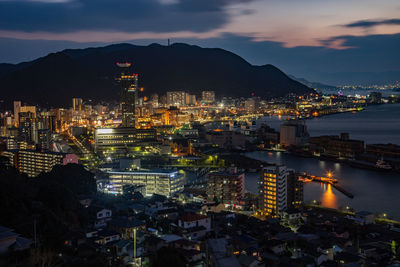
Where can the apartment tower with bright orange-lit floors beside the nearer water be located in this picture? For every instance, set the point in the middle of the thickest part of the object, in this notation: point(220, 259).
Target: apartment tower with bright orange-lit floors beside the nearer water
point(273, 189)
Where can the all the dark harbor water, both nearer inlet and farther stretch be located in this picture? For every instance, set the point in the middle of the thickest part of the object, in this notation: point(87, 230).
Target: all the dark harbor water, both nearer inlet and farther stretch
point(373, 190)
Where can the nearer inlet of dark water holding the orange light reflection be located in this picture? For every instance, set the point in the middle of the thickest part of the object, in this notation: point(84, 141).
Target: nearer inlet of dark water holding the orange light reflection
point(373, 191)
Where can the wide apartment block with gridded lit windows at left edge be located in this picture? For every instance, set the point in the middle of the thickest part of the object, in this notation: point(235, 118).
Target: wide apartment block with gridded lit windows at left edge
point(33, 162)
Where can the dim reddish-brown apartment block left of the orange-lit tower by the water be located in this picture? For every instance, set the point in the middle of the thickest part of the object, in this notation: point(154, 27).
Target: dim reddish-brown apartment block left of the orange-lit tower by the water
point(226, 187)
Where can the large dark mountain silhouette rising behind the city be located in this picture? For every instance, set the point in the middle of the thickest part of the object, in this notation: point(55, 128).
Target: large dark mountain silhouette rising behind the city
point(90, 74)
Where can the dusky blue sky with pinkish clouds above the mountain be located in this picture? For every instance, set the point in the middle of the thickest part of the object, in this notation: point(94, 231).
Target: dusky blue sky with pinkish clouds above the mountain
point(314, 39)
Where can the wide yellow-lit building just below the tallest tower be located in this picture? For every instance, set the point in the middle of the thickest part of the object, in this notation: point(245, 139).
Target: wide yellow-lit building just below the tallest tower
point(122, 141)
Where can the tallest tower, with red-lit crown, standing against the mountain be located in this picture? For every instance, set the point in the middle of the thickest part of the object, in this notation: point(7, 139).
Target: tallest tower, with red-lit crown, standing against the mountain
point(129, 88)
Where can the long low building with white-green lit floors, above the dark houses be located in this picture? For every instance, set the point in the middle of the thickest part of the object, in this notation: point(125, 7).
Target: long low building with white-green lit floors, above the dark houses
point(162, 182)
